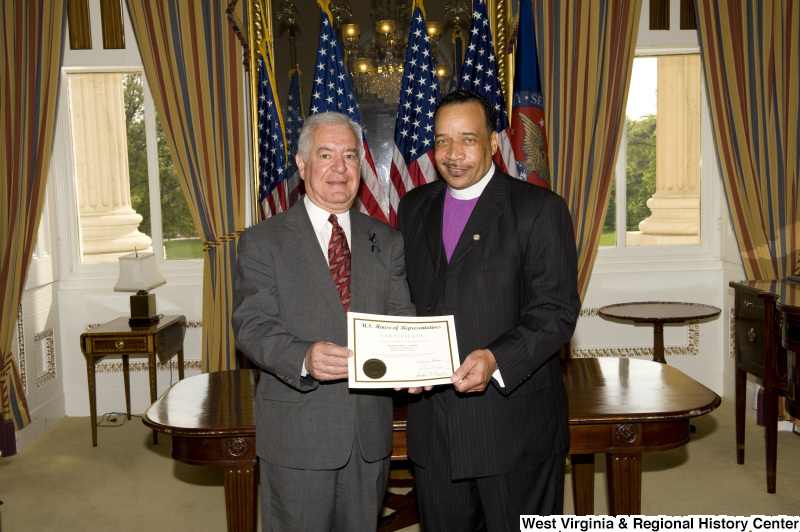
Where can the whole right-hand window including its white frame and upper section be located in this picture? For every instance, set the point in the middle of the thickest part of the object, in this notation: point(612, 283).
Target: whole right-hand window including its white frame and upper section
point(665, 169)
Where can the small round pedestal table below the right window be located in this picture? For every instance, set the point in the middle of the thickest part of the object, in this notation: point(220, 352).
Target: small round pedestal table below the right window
point(658, 313)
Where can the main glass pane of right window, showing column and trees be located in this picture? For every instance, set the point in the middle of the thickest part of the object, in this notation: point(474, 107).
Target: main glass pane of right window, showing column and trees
point(657, 177)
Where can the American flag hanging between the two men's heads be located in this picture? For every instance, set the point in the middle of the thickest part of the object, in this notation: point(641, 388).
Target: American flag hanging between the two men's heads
point(412, 159)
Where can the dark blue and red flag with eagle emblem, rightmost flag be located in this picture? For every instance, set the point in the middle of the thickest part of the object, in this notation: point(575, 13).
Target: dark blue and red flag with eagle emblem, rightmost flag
point(528, 135)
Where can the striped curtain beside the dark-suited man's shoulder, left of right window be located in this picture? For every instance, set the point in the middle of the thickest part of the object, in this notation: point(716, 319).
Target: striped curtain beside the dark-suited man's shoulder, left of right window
point(586, 54)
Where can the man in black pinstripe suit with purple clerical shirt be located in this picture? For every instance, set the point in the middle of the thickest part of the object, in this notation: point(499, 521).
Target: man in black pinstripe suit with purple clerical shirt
point(499, 254)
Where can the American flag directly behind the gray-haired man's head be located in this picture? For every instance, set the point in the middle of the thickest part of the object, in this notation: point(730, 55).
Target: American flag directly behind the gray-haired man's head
point(333, 92)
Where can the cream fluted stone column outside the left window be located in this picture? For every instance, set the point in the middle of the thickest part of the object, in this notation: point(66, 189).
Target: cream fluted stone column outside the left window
point(109, 225)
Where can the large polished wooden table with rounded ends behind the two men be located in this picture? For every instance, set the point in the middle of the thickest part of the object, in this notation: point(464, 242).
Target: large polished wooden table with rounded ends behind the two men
point(619, 407)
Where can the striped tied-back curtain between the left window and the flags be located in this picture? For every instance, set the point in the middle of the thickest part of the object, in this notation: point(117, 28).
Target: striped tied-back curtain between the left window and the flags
point(193, 63)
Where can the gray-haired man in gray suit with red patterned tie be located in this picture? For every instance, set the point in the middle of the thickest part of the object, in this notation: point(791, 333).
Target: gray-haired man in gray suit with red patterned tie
point(323, 449)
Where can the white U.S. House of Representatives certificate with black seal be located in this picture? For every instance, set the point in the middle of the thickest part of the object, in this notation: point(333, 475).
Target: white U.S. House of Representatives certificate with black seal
point(400, 351)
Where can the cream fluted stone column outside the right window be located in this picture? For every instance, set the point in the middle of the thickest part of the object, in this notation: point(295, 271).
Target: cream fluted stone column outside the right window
point(675, 206)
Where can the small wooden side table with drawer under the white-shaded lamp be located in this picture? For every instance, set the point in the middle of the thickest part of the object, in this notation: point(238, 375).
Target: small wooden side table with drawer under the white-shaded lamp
point(116, 337)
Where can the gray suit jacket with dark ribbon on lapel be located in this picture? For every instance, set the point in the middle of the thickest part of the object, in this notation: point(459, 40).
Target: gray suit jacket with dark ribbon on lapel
point(284, 300)
